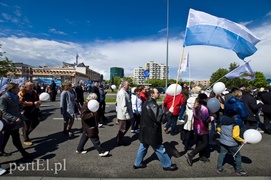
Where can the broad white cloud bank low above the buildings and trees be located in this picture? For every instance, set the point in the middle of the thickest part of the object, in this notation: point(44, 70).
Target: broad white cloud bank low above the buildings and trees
point(129, 54)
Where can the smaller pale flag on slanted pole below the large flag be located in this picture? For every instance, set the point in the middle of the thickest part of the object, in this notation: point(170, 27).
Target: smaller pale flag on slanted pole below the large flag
point(243, 71)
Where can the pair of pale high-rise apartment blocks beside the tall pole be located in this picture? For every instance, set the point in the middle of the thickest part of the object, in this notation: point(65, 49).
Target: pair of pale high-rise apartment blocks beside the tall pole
point(156, 71)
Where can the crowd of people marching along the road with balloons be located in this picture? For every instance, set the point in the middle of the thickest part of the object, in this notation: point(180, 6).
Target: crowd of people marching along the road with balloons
point(137, 108)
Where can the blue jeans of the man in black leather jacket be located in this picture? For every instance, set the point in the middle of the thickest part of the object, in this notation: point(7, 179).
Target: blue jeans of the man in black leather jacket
point(160, 152)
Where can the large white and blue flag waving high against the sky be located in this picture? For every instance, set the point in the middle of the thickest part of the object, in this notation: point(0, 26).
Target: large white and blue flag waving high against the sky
point(206, 29)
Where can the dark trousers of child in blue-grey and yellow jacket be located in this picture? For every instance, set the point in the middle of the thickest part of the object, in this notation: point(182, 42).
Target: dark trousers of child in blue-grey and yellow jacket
point(227, 149)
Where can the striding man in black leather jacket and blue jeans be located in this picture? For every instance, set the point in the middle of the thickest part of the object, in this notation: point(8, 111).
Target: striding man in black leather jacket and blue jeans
point(151, 133)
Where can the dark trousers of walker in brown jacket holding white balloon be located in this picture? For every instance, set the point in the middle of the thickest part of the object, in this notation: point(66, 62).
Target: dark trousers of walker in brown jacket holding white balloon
point(95, 141)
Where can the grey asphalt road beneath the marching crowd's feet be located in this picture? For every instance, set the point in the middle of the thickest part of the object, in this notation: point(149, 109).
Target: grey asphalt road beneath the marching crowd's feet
point(54, 155)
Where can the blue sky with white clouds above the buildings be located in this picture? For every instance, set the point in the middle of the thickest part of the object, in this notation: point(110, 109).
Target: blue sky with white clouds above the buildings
point(127, 34)
